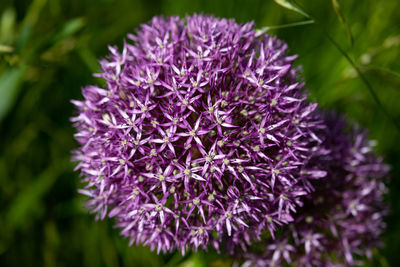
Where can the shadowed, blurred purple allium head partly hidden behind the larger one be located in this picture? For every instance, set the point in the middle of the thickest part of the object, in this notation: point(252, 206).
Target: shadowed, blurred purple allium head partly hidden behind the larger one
point(342, 219)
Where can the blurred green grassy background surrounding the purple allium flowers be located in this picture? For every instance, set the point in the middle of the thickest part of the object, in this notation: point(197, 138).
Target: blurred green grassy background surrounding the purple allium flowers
point(49, 50)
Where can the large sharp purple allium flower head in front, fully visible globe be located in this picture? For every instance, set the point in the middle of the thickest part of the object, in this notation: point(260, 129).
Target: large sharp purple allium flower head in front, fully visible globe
point(200, 136)
